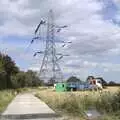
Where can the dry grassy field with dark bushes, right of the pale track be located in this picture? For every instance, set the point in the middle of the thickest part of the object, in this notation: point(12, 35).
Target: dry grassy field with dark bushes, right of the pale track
point(74, 104)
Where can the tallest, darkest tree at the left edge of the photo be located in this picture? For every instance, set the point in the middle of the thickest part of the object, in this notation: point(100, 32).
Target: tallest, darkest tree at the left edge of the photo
point(7, 69)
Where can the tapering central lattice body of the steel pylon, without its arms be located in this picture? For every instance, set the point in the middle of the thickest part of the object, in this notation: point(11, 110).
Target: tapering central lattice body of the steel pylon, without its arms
point(50, 69)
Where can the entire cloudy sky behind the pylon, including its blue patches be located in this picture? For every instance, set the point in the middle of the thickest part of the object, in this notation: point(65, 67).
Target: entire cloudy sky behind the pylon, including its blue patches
point(93, 28)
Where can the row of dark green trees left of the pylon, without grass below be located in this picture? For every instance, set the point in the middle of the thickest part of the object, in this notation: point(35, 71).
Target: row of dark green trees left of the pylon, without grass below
point(11, 77)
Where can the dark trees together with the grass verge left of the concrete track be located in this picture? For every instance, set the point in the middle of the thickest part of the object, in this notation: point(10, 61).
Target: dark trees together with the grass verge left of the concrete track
point(12, 78)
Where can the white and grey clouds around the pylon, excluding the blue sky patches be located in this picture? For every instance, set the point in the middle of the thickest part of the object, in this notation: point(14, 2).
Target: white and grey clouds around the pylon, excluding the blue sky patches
point(94, 39)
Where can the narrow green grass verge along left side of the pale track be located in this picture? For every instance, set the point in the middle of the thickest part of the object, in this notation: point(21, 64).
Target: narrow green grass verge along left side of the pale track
point(5, 98)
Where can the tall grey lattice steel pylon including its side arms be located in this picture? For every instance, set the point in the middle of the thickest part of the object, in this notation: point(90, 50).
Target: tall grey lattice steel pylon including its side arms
point(50, 70)
